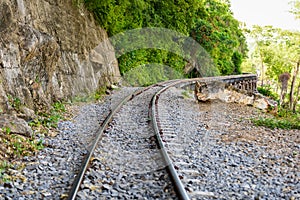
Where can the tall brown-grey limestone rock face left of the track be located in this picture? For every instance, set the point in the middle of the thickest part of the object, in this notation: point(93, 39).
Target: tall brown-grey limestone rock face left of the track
point(51, 50)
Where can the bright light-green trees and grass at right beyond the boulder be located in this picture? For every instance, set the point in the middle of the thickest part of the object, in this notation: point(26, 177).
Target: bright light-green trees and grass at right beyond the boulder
point(276, 57)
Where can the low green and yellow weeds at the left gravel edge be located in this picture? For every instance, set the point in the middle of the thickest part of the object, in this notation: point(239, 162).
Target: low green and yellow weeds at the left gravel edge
point(14, 146)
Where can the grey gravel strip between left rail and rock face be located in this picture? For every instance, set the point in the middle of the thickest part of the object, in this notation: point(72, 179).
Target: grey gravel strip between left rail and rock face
point(50, 173)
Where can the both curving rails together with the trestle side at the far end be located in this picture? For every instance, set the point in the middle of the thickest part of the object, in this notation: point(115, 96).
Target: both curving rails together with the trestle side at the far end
point(250, 79)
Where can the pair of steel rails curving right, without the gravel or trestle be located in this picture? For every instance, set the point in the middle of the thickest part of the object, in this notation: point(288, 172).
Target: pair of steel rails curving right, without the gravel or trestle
point(99, 133)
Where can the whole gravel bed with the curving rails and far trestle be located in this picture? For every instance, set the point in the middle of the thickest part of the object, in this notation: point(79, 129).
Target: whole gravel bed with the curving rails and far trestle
point(214, 151)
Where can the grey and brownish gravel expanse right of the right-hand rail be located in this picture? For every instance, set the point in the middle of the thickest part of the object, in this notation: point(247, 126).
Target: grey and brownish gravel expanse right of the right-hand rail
point(232, 158)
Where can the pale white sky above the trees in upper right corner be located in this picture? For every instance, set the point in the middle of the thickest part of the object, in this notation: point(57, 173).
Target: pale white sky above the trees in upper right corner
point(265, 12)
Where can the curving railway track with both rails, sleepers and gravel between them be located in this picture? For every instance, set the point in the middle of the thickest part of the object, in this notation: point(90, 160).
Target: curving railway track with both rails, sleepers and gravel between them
point(138, 153)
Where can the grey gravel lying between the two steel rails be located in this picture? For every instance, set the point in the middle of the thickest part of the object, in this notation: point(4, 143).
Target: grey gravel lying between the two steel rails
point(127, 164)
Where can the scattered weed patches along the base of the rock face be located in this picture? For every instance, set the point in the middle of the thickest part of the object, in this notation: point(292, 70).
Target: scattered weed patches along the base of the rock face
point(15, 146)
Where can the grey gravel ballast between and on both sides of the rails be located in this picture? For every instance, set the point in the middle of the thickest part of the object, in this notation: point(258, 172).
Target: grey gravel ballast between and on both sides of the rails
point(234, 158)
